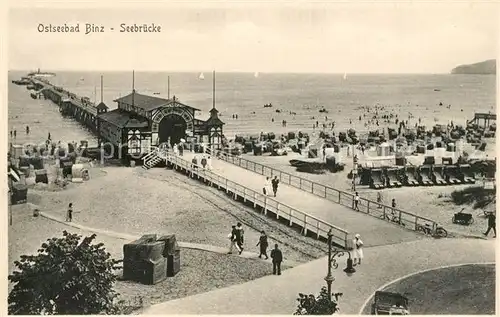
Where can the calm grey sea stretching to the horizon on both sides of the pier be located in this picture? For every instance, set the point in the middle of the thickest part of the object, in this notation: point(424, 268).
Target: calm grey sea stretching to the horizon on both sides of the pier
point(296, 98)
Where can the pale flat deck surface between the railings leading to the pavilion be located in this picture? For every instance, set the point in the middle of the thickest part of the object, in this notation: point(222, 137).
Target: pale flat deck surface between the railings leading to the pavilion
point(372, 230)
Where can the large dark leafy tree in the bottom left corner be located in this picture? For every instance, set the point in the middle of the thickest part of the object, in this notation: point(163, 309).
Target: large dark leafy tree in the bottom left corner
point(67, 276)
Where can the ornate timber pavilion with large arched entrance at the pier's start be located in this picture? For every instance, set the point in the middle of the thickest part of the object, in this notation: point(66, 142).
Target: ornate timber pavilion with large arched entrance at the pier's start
point(142, 121)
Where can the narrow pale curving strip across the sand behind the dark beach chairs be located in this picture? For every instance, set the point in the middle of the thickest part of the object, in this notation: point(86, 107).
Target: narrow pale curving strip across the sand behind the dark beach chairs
point(129, 237)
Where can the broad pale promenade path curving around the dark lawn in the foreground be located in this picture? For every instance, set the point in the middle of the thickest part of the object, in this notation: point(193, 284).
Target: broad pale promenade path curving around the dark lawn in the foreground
point(382, 264)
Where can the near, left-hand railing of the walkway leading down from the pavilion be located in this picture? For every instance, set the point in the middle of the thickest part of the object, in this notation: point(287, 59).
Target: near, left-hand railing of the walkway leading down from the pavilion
point(293, 217)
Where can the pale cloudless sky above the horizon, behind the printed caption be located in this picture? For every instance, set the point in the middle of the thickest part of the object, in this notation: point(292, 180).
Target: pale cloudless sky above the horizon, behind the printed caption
point(298, 37)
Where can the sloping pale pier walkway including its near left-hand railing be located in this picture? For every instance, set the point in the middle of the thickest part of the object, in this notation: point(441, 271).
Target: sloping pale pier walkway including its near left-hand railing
point(313, 214)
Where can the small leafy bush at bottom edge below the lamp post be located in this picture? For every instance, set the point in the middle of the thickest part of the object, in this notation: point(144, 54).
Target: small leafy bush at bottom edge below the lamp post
point(320, 305)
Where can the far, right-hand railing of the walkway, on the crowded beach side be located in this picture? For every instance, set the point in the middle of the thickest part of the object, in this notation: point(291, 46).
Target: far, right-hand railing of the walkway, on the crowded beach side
point(397, 216)
